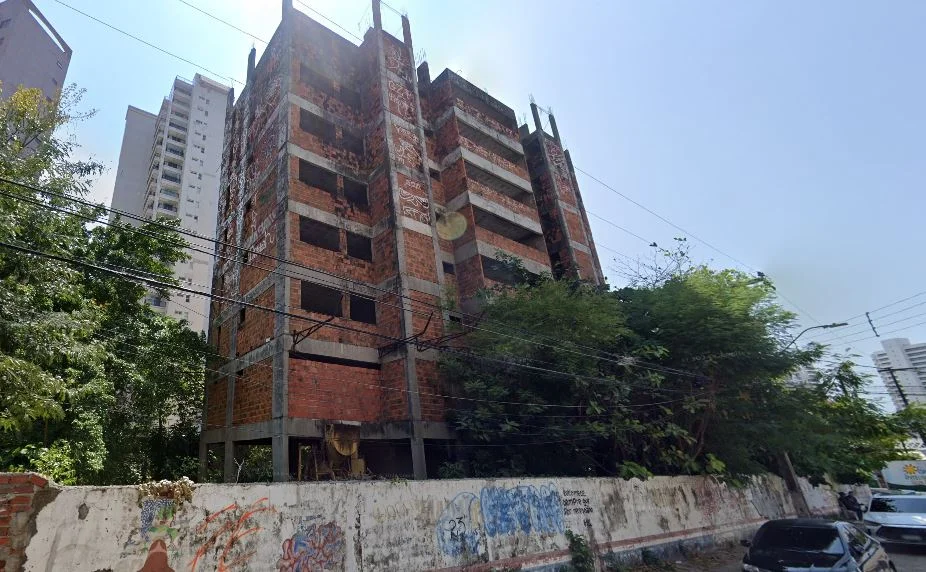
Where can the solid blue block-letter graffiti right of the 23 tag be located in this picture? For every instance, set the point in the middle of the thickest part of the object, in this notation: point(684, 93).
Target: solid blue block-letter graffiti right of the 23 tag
point(521, 509)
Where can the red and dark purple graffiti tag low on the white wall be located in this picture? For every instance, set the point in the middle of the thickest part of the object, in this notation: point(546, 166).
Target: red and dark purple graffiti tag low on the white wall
point(316, 547)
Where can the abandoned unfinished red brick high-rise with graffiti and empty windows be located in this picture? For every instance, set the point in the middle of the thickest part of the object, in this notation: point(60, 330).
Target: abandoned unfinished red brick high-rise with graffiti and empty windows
point(359, 198)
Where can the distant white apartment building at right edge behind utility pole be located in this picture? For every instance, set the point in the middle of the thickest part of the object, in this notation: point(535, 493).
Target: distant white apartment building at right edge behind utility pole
point(907, 362)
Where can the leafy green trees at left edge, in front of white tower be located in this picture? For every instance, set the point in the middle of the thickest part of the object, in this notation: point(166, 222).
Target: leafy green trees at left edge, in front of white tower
point(95, 386)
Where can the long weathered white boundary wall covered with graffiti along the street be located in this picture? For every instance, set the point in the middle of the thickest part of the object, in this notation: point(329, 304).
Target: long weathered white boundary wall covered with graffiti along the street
point(373, 526)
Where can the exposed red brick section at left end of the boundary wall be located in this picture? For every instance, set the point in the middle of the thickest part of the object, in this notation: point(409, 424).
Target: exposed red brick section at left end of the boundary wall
point(21, 494)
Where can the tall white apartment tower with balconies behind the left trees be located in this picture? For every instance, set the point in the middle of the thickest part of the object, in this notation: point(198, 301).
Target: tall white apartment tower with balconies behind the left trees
point(178, 178)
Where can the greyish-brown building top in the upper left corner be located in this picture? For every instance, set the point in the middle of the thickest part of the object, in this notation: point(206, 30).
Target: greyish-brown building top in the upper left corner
point(32, 53)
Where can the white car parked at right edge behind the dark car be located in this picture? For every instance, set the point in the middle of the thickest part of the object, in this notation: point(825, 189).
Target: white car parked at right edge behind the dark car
point(897, 519)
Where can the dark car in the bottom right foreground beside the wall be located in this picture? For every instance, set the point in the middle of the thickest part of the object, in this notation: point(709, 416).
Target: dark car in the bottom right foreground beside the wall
point(805, 544)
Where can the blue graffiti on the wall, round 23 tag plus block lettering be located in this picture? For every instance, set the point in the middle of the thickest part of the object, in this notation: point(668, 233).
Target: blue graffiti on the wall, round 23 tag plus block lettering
point(496, 512)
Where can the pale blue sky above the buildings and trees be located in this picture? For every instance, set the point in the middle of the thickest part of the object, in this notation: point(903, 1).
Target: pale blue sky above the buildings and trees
point(788, 134)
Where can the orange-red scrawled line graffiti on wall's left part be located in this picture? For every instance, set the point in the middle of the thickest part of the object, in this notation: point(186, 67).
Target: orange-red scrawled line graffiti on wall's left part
point(227, 536)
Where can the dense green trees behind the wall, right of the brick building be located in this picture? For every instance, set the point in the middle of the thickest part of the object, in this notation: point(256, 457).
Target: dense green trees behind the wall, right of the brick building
point(683, 372)
